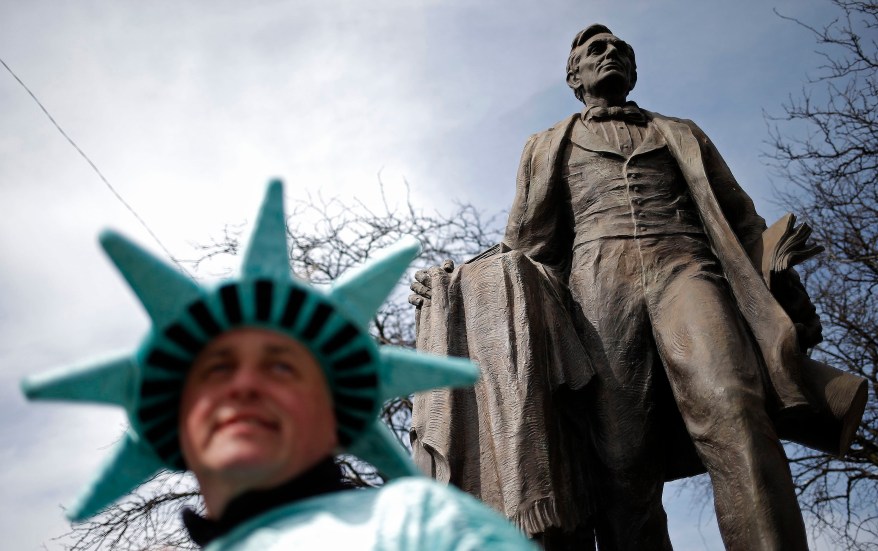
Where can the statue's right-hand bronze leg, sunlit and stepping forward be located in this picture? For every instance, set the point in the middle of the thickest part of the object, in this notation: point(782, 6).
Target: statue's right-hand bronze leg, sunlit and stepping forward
point(713, 368)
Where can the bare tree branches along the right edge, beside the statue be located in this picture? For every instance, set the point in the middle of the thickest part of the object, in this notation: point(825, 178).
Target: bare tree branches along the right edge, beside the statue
point(833, 175)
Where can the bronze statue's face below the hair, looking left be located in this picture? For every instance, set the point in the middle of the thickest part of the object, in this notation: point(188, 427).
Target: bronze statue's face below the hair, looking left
point(604, 68)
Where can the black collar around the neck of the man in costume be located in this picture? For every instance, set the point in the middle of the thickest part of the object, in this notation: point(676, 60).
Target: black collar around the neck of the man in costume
point(323, 478)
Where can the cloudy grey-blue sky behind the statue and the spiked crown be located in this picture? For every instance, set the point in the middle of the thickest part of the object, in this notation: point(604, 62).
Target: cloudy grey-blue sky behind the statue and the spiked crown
point(189, 108)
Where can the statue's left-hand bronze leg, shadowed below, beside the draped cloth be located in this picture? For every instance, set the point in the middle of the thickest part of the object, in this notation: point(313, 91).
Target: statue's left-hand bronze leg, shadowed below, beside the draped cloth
point(622, 410)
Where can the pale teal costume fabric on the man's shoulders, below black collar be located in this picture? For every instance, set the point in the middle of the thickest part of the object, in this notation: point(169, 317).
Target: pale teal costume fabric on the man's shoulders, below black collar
point(411, 513)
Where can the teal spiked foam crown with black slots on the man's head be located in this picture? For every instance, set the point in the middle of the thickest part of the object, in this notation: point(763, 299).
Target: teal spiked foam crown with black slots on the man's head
point(185, 315)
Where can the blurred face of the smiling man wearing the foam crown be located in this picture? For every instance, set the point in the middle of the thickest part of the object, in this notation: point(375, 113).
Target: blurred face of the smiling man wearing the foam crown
point(255, 410)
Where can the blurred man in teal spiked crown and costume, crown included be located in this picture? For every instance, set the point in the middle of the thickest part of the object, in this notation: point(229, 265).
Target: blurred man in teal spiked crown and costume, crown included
point(254, 386)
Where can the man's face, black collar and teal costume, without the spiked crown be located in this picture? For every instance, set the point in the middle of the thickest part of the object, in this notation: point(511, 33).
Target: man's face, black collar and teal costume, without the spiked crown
point(257, 429)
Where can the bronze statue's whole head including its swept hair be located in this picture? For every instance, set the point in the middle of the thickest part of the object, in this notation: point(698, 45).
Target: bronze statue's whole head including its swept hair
point(600, 64)
